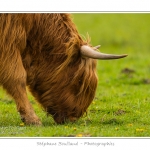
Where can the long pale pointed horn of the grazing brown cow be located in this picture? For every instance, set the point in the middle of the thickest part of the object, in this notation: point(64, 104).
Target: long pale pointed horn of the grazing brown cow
point(89, 52)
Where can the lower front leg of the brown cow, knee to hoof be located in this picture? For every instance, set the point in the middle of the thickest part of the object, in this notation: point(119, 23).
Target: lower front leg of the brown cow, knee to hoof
point(18, 91)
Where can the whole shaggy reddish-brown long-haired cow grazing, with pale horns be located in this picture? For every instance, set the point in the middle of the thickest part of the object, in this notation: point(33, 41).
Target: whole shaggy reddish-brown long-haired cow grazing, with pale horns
point(46, 53)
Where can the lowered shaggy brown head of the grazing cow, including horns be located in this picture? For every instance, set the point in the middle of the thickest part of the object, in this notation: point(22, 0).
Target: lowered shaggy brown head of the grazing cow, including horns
point(66, 91)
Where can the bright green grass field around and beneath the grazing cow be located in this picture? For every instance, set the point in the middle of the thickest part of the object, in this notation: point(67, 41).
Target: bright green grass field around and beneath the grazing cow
point(121, 107)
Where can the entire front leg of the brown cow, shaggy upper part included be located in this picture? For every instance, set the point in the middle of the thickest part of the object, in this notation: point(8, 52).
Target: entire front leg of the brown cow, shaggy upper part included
point(15, 84)
